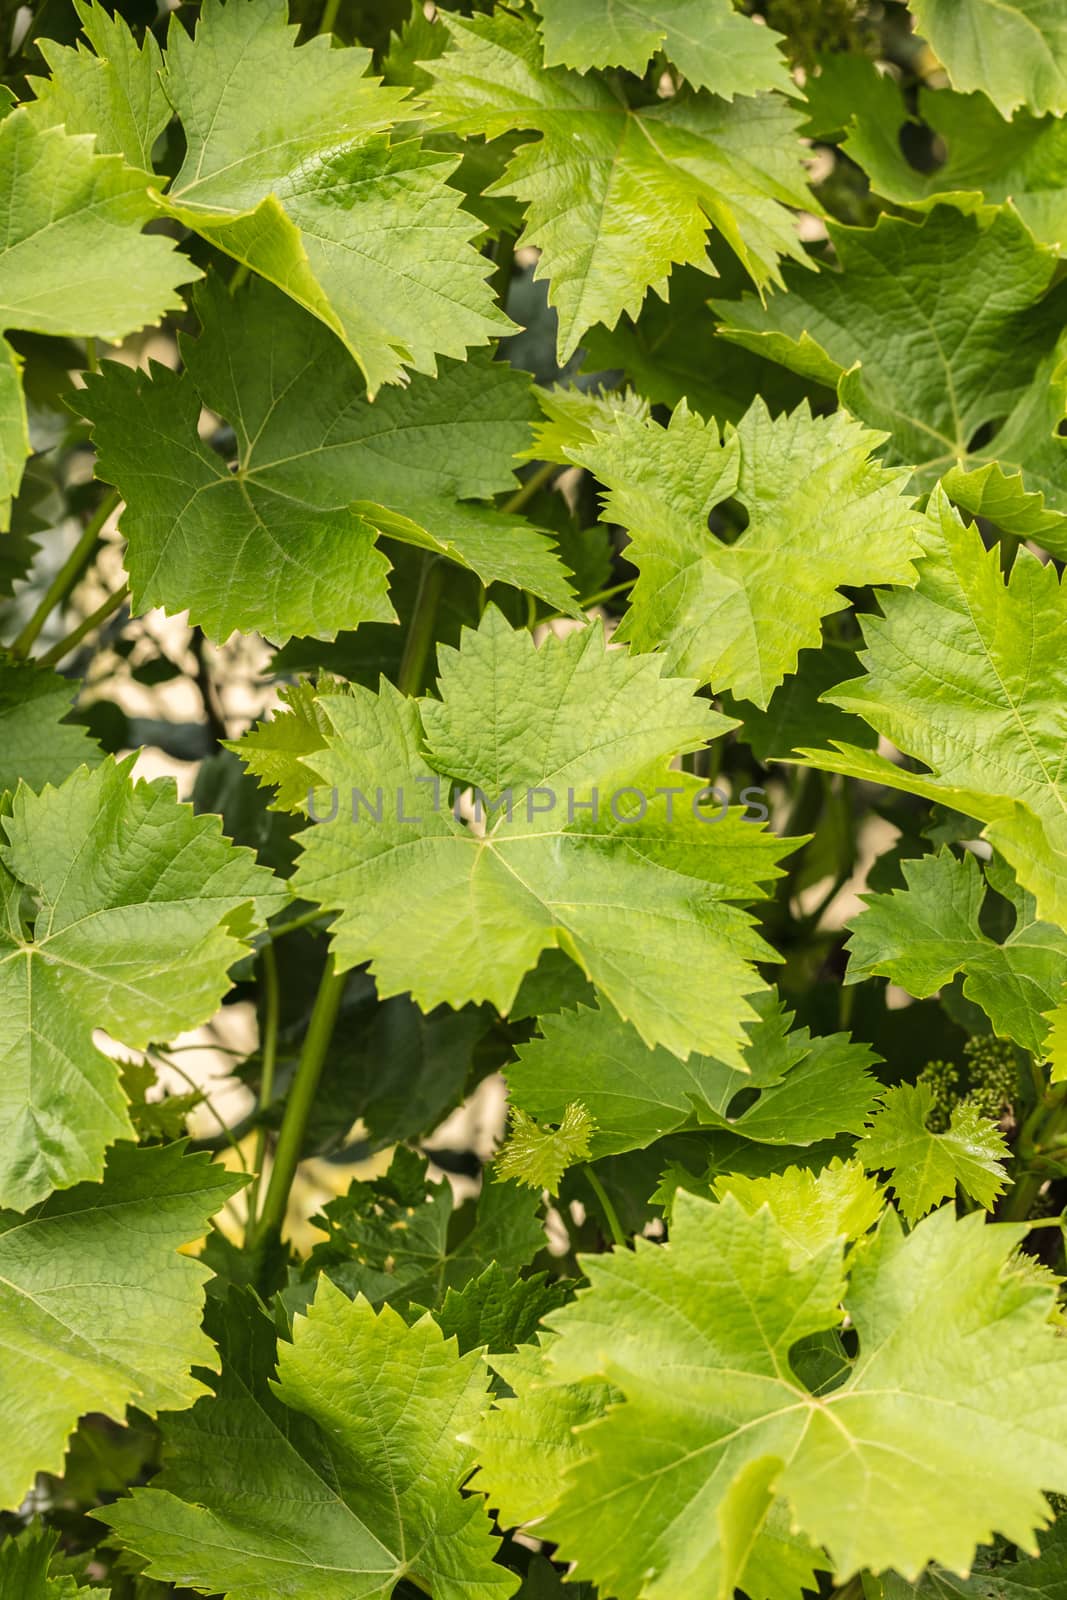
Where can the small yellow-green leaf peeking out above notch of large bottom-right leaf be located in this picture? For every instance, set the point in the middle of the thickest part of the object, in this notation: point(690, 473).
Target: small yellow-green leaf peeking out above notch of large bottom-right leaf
point(812, 1209)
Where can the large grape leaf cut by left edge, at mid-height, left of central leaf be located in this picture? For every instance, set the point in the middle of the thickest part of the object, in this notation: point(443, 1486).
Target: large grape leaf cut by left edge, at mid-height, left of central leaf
point(119, 910)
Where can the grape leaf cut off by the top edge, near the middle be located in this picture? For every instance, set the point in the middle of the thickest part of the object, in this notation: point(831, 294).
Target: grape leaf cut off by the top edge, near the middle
point(708, 41)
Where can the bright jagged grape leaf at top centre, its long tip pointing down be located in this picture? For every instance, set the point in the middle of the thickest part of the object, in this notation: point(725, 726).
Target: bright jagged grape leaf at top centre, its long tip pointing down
point(615, 196)
